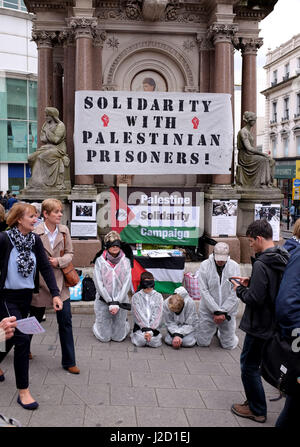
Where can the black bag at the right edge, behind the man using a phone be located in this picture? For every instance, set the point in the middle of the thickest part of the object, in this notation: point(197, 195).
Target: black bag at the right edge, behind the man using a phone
point(281, 365)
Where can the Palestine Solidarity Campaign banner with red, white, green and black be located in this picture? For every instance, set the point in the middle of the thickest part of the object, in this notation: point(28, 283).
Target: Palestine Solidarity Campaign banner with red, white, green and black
point(162, 216)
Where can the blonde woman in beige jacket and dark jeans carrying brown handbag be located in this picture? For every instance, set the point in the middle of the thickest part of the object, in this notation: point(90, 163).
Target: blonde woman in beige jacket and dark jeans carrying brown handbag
point(58, 245)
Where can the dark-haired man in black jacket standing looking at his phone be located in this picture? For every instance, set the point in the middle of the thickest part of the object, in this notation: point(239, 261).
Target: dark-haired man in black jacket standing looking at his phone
point(258, 293)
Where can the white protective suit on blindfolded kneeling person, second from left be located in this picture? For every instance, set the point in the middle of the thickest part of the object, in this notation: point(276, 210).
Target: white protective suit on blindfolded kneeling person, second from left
point(147, 310)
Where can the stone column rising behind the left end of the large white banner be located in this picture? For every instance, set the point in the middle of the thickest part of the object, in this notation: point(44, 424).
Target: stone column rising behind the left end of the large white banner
point(83, 28)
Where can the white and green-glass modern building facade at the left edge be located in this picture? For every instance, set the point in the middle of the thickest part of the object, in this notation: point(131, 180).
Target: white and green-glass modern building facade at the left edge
point(18, 94)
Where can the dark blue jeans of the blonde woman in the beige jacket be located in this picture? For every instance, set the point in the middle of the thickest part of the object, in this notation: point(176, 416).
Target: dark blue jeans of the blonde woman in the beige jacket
point(65, 330)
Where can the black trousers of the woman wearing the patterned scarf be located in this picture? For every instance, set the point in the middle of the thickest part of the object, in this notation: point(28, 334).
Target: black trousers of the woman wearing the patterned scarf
point(17, 303)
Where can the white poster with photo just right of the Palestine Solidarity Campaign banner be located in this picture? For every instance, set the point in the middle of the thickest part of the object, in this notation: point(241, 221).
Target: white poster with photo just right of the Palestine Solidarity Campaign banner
point(224, 217)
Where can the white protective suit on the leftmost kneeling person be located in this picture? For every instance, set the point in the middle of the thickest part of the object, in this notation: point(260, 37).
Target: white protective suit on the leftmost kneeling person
point(112, 284)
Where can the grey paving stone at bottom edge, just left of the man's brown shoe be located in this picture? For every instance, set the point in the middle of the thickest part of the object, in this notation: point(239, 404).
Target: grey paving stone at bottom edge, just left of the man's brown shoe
point(211, 418)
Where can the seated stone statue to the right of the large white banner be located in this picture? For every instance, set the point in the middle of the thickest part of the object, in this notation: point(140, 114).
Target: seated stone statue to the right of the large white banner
point(255, 169)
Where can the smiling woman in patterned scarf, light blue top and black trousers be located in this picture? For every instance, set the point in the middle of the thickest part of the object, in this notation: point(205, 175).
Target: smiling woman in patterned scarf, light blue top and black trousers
point(22, 258)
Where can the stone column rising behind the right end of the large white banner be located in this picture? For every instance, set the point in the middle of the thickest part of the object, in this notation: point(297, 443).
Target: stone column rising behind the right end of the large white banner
point(222, 35)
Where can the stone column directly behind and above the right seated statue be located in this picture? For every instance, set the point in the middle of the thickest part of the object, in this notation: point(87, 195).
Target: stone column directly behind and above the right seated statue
point(249, 47)
